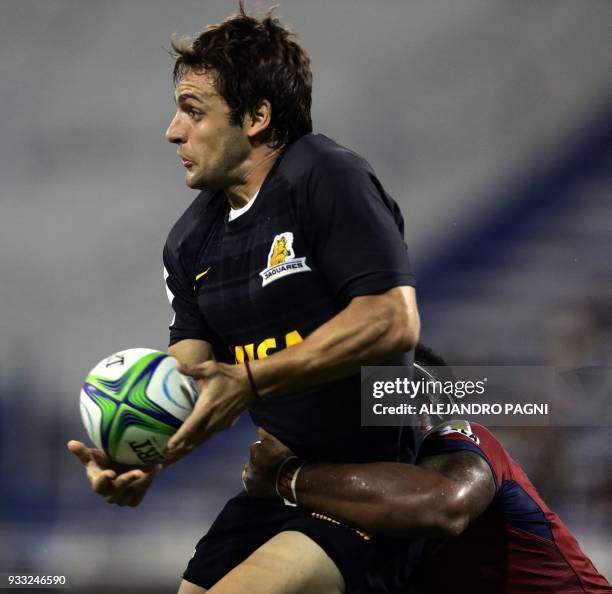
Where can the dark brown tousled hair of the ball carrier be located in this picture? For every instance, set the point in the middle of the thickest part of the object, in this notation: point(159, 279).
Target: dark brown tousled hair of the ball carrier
point(252, 60)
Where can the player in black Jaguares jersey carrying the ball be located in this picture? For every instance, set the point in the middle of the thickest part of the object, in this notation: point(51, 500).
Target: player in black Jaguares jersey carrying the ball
point(286, 274)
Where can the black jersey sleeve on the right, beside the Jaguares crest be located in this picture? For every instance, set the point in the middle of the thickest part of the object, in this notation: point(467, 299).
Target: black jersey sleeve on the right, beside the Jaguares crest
point(355, 230)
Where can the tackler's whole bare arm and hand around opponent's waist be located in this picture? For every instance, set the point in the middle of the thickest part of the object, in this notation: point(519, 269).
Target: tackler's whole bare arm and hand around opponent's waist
point(437, 498)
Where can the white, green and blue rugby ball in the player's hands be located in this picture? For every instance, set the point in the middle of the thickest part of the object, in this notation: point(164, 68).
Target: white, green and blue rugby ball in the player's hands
point(133, 402)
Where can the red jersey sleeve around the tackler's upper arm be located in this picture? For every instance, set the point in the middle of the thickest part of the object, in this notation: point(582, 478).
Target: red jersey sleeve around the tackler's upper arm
point(461, 436)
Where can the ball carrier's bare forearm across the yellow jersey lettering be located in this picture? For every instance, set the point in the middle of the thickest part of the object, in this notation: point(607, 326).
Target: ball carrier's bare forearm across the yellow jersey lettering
point(370, 329)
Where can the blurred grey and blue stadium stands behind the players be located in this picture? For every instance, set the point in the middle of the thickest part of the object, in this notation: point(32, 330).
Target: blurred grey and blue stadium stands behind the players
point(490, 122)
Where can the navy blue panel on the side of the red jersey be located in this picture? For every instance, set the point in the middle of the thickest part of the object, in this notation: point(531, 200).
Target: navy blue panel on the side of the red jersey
point(522, 512)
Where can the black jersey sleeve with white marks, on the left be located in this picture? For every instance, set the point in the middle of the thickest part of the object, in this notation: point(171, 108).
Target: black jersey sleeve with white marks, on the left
point(187, 321)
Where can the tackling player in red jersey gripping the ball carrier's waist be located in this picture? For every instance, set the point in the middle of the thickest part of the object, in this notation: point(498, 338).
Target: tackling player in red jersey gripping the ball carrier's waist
point(487, 529)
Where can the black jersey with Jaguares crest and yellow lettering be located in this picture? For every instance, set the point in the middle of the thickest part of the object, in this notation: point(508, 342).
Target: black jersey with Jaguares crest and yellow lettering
point(321, 231)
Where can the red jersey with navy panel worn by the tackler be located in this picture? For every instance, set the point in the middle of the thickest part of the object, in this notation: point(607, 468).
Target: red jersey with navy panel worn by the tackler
point(517, 546)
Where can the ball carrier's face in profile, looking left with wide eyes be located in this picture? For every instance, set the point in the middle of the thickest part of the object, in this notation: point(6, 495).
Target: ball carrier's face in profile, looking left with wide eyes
point(211, 149)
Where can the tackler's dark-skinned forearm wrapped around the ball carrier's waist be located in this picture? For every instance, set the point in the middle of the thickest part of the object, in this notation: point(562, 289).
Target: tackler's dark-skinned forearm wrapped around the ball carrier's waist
point(381, 498)
